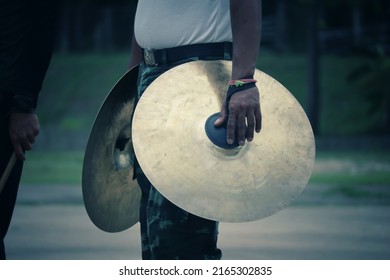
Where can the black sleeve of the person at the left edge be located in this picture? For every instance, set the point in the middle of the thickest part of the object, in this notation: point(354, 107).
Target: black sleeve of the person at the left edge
point(27, 30)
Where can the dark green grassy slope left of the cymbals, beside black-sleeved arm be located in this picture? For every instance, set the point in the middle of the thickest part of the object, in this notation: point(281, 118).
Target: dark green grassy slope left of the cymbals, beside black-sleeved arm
point(75, 86)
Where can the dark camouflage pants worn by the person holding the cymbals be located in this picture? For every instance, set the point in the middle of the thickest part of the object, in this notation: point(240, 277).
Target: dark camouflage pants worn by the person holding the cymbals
point(168, 232)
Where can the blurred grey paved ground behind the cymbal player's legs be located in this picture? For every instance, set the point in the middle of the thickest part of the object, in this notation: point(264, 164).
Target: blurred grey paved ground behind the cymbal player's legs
point(51, 223)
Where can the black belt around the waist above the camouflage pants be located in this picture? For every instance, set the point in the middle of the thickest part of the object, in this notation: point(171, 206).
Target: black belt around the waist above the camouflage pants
point(201, 51)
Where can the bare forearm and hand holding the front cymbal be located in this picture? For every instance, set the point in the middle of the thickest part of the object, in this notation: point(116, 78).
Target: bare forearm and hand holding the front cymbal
point(244, 106)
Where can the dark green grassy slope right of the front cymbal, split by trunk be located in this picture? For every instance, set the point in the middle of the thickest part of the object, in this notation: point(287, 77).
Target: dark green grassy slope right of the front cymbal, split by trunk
point(342, 111)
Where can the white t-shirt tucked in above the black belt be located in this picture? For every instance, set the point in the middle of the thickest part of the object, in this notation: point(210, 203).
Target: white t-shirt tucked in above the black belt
point(163, 24)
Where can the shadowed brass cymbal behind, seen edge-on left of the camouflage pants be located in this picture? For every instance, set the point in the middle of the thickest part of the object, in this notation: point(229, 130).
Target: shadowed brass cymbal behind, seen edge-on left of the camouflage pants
point(111, 196)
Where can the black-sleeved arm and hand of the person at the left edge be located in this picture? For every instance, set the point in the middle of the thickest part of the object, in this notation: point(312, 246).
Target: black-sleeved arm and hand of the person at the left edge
point(28, 29)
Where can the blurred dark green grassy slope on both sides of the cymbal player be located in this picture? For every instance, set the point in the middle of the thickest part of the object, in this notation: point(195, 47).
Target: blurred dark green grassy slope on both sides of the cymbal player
point(76, 85)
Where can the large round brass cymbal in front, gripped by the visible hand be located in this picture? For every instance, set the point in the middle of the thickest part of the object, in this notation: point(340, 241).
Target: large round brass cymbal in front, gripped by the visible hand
point(229, 185)
